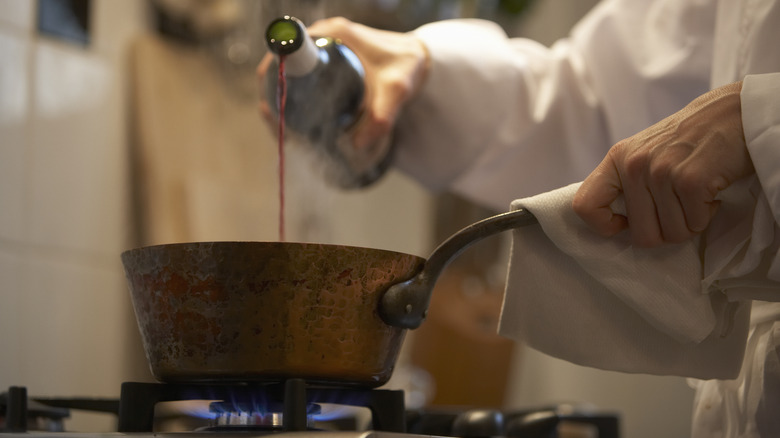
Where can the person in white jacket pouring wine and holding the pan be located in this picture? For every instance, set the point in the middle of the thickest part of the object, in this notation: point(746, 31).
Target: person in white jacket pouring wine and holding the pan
point(670, 101)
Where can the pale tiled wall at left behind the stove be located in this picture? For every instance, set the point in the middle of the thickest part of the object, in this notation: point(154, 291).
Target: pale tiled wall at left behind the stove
point(64, 307)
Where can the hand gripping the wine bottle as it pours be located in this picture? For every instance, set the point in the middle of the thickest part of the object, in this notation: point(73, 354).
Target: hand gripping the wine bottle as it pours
point(395, 65)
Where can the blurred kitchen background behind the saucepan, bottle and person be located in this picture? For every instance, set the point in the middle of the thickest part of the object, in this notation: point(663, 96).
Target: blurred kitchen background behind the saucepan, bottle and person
point(135, 122)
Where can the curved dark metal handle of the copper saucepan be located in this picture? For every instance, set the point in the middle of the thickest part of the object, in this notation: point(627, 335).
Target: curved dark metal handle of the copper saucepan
point(405, 304)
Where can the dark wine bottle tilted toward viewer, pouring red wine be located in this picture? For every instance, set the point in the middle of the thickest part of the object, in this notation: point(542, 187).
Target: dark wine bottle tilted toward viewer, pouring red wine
point(324, 99)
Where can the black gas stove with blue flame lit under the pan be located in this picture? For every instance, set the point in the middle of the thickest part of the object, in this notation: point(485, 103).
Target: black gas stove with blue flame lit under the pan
point(294, 409)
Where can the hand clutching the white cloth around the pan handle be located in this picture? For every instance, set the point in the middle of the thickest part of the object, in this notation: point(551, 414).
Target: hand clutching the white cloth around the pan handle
point(670, 173)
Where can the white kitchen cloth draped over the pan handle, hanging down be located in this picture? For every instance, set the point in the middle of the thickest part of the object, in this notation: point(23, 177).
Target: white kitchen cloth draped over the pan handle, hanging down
point(600, 302)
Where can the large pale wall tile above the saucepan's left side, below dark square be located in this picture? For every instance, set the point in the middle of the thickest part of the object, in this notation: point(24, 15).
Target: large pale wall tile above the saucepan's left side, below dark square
point(78, 159)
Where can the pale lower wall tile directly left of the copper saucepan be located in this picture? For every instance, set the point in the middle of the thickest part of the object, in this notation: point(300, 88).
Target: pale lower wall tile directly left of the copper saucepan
point(73, 328)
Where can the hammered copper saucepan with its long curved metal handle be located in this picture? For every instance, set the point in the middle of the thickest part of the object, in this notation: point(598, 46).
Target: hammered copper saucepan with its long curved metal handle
point(268, 311)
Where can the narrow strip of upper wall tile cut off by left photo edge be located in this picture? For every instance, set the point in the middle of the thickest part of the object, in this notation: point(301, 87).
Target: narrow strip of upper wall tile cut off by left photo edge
point(14, 102)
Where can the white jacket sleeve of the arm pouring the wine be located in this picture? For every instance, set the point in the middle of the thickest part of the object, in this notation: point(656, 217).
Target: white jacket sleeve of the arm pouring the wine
point(501, 118)
